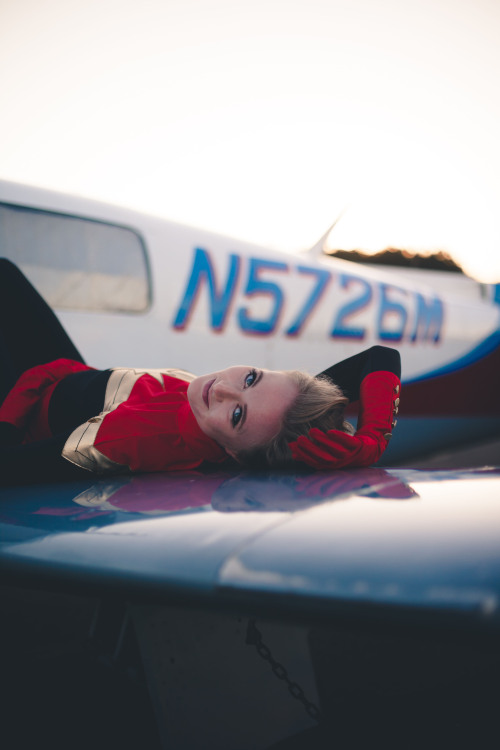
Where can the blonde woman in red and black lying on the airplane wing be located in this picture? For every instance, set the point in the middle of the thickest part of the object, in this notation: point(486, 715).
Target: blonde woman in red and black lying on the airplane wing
point(60, 418)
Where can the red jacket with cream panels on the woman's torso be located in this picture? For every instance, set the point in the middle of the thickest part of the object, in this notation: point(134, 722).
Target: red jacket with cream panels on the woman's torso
point(146, 423)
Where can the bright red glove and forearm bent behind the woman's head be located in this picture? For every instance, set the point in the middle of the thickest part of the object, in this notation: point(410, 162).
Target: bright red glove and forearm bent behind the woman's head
point(379, 402)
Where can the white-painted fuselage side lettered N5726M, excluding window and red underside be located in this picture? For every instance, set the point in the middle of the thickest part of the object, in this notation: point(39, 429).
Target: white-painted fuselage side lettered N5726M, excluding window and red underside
point(217, 301)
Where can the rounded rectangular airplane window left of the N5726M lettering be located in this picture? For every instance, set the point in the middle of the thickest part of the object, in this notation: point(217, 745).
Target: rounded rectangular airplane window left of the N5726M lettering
point(77, 263)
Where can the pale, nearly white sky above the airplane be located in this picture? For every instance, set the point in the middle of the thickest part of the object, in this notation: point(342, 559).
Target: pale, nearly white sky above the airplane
point(266, 119)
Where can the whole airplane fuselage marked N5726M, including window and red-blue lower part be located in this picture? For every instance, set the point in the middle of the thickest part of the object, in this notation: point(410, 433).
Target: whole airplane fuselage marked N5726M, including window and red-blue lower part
point(210, 301)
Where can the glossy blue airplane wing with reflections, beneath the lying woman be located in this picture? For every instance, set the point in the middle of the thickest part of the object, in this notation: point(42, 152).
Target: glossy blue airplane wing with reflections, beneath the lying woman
point(321, 541)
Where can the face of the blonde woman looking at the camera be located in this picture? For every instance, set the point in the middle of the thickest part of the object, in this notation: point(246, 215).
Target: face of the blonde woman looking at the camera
point(241, 407)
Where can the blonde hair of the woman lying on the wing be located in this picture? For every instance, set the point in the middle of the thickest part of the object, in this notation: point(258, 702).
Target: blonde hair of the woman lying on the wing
point(319, 403)
